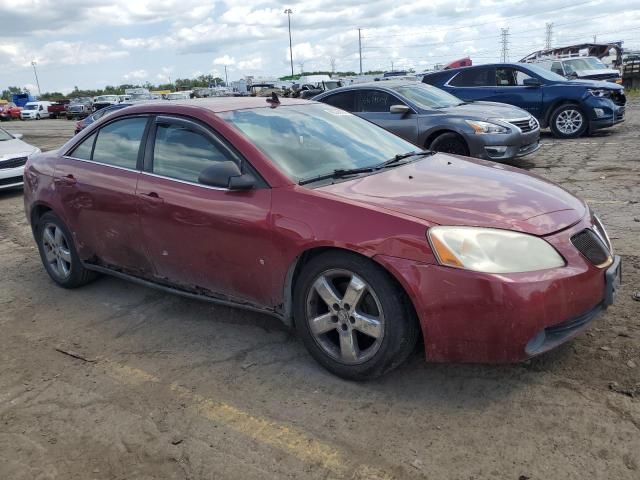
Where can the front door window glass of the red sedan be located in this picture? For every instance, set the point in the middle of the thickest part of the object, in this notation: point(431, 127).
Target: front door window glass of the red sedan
point(183, 153)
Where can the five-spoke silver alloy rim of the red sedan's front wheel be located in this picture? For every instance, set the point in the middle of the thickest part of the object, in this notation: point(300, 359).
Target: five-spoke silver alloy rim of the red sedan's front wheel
point(345, 316)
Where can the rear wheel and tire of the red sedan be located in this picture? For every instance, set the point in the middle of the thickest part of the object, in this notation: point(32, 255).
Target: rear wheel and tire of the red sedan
point(58, 253)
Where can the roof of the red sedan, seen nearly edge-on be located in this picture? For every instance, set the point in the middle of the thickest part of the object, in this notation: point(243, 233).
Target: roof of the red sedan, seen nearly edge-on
point(219, 104)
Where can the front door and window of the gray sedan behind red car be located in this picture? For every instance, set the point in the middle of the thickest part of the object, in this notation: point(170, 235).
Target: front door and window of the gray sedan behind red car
point(374, 105)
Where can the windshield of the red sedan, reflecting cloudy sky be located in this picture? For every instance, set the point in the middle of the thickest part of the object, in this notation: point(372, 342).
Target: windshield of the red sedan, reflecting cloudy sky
point(306, 141)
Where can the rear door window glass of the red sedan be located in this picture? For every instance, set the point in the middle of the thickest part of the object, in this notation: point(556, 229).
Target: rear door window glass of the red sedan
point(118, 143)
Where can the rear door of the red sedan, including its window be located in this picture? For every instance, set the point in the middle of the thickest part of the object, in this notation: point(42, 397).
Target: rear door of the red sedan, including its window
point(96, 182)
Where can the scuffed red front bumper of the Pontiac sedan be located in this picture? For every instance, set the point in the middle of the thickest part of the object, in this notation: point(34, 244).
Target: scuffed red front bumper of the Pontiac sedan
point(489, 318)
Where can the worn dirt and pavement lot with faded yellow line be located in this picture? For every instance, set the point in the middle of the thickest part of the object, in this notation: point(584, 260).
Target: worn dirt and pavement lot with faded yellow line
point(175, 388)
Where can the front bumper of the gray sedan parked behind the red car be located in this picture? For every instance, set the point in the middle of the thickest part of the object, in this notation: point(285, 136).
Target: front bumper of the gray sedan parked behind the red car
point(505, 146)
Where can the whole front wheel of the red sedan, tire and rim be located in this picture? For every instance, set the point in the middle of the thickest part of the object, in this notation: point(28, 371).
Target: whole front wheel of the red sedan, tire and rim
point(379, 307)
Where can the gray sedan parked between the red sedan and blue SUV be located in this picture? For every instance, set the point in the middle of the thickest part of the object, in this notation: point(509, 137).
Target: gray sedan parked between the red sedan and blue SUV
point(433, 119)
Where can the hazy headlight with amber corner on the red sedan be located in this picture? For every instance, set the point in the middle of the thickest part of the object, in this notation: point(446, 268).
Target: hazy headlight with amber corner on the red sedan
point(491, 250)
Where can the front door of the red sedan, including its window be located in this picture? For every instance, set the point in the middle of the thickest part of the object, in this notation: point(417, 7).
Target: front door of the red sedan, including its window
point(200, 238)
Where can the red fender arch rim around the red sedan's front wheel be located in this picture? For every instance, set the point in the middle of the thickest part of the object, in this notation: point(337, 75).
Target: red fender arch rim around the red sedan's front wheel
point(299, 262)
